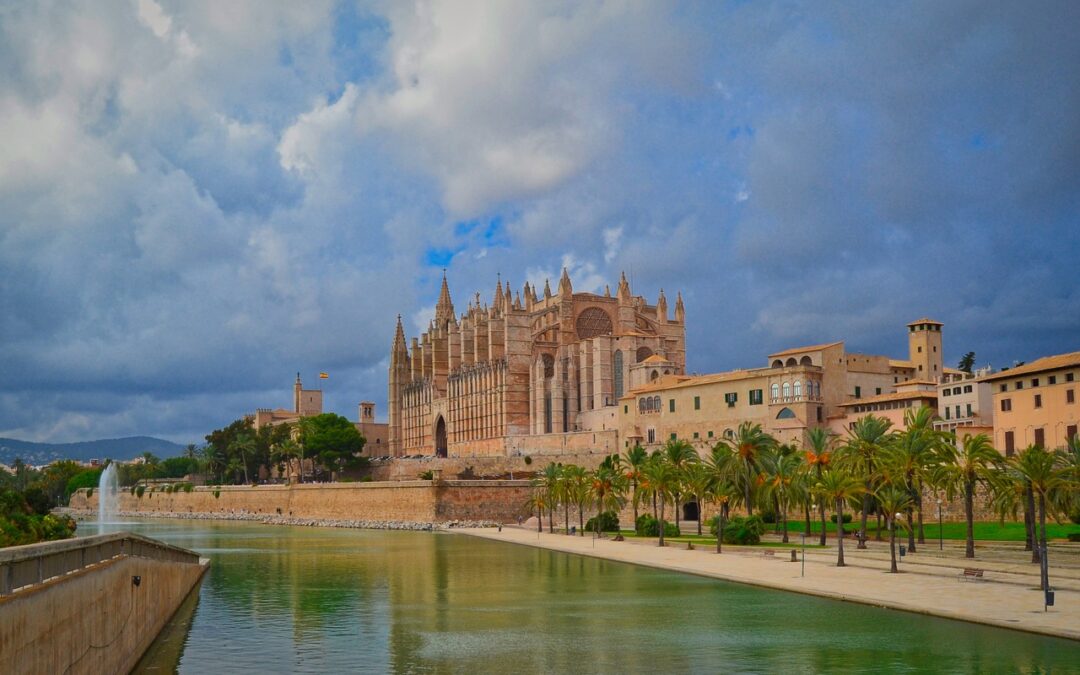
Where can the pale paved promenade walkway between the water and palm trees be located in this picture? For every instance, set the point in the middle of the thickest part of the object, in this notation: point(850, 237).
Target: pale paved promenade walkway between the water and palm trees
point(1009, 598)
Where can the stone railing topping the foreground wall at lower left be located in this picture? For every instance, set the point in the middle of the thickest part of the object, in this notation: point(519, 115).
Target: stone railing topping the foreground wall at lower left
point(24, 566)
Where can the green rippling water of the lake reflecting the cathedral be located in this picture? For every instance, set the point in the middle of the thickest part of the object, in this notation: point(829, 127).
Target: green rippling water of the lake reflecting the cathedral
point(281, 600)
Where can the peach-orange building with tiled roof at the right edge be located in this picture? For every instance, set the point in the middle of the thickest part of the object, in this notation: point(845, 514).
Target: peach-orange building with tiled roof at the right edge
point(1036, 403)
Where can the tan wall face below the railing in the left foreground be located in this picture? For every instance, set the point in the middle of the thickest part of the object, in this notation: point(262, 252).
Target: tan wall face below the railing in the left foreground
point(94, 620)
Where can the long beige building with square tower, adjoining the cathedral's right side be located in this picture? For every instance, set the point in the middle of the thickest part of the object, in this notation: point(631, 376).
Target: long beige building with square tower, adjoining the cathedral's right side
point(800, 389)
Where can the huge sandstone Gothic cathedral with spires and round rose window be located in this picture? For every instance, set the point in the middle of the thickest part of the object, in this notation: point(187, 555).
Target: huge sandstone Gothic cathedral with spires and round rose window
point(526, 368)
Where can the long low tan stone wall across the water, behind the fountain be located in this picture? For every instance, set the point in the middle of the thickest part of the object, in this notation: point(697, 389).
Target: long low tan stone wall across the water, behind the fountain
point(410, 502)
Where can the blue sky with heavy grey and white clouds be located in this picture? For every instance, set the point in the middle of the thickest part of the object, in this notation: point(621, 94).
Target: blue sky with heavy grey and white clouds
point(199, 200)
